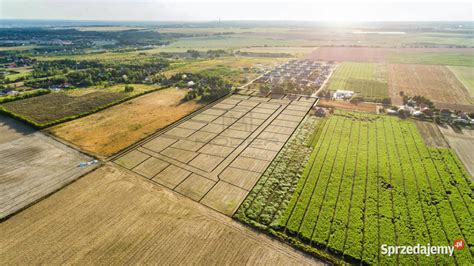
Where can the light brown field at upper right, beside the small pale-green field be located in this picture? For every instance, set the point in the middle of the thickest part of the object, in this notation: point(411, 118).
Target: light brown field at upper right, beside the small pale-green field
point(437, 83)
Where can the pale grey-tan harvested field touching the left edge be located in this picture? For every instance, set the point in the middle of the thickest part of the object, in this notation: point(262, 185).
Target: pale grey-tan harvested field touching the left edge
point(32, 166)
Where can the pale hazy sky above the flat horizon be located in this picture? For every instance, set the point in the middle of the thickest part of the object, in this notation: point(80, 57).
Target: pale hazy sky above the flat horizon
point(198, 10)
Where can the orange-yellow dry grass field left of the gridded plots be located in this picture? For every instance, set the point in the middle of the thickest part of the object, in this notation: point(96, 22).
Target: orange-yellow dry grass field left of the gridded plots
point(111, 130)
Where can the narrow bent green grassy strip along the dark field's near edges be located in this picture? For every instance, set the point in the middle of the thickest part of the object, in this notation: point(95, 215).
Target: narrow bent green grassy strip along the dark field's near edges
point(37, 125)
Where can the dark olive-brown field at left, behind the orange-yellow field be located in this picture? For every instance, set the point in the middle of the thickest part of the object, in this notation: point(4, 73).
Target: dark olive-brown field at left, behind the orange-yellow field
point(58, 107)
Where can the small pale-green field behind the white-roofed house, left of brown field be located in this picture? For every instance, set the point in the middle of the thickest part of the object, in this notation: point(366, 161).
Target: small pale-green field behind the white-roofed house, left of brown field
point(368, 80)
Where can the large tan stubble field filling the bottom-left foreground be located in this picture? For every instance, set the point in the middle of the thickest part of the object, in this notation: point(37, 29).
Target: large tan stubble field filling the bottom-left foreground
point(111, 216)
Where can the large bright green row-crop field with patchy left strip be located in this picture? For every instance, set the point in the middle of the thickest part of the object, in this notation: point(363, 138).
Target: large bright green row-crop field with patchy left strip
point(370, 180)
